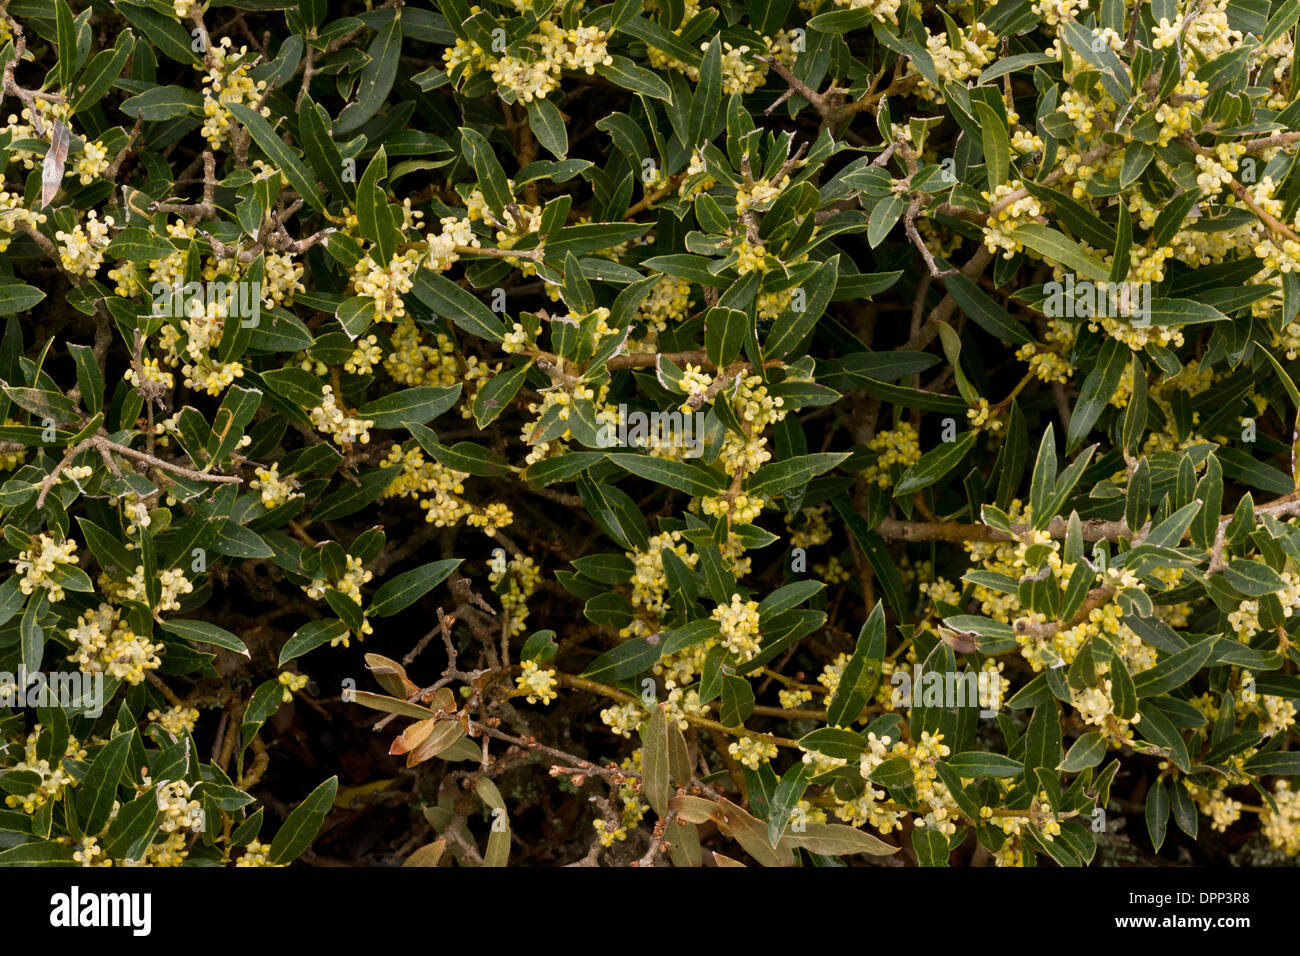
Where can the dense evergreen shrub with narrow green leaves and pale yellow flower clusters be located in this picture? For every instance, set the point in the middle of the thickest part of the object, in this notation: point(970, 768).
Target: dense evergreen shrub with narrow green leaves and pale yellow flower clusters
point(634, 432)
